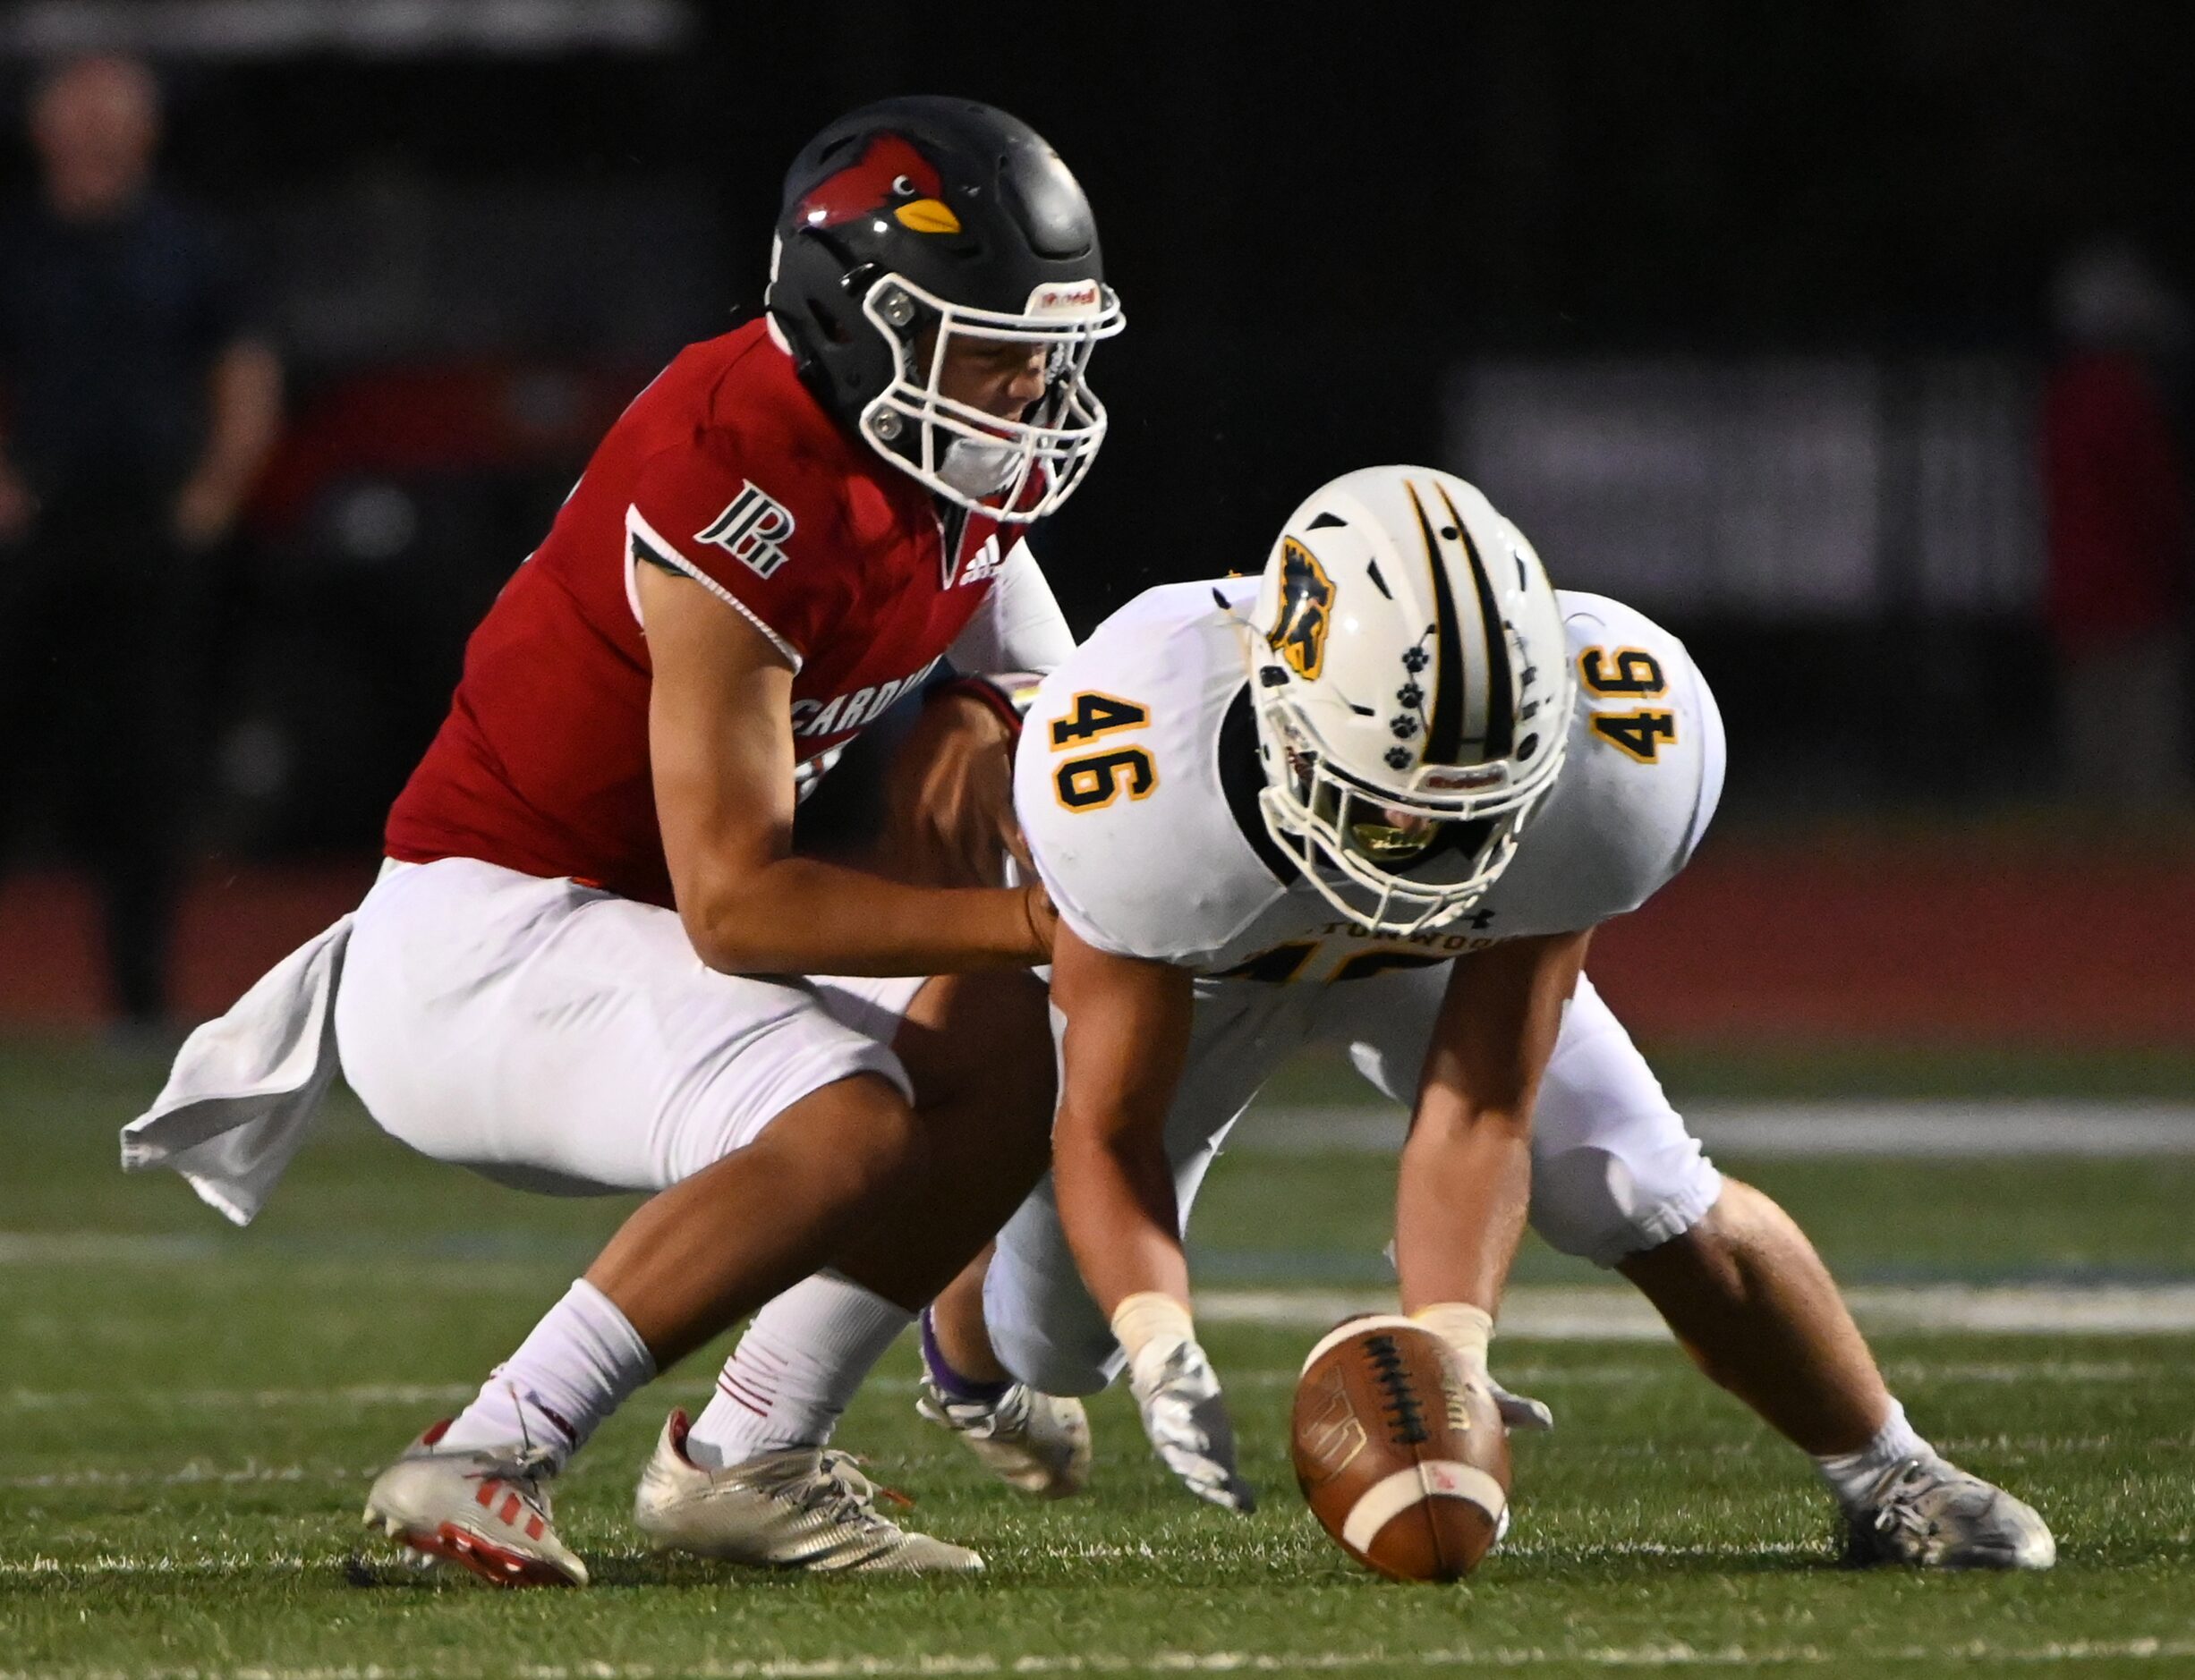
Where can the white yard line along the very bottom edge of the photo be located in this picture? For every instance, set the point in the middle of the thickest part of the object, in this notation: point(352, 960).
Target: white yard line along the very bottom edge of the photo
point(1500, 1657)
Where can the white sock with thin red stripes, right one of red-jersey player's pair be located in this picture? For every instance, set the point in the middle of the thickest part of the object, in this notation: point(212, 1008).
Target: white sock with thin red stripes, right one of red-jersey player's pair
point(796, 1370)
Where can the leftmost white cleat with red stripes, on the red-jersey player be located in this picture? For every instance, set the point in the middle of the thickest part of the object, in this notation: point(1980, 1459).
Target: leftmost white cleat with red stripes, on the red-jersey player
point(482, 1510)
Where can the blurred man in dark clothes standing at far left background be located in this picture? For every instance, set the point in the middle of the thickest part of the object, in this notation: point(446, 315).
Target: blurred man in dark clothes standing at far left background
point(139, 409)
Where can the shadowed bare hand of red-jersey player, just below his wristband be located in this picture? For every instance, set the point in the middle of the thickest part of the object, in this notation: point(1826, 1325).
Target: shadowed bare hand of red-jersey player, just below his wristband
point(949, 797)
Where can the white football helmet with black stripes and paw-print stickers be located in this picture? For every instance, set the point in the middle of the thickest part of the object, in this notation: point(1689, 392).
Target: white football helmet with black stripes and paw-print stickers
point(1412, 690)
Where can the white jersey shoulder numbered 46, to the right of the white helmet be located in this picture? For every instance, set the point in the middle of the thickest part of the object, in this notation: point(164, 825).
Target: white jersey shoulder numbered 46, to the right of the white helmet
point(1639, 788)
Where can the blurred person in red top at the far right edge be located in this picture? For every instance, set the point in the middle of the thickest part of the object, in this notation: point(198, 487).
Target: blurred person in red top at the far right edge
point(2115, 488)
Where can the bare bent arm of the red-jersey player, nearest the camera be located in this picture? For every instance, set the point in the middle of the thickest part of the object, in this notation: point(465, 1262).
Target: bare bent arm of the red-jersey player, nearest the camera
point(721, 745)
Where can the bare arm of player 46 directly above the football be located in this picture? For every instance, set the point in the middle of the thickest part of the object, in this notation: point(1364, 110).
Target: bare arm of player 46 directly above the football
point(1467, 1168)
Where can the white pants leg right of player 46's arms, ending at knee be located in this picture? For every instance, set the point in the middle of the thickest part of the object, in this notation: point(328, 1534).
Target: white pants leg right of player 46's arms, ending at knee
point(1614, 1168)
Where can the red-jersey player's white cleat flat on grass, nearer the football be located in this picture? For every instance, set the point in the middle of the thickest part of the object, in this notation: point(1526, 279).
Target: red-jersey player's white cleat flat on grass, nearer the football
point(789, 1510)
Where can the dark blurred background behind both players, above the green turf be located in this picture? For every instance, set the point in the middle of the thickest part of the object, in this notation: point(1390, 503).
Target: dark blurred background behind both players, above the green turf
point(1851, 341)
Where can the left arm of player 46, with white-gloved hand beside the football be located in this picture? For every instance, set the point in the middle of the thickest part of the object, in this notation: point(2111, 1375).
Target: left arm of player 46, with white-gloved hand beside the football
point(1123, 1052)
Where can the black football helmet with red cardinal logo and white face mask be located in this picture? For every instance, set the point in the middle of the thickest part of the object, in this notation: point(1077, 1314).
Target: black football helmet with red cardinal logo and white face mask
point(947, 220)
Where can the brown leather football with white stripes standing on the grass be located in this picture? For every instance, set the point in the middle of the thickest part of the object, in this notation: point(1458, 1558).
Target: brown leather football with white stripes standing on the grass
point(1402, 1457)
